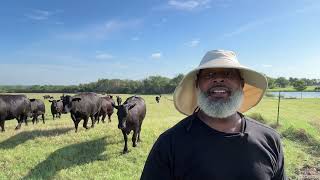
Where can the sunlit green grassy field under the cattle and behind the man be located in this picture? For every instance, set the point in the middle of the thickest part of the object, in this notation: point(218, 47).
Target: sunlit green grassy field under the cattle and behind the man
point(54, 151)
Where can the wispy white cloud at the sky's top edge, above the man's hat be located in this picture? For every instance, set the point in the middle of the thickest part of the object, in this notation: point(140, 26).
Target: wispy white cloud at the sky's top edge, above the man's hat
point(189, 4)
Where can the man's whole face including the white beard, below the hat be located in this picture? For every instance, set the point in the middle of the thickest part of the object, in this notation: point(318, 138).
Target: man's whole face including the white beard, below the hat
point(220, 92)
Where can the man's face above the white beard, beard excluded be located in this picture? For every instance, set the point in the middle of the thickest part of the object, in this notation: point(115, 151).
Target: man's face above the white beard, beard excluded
point(219, 84)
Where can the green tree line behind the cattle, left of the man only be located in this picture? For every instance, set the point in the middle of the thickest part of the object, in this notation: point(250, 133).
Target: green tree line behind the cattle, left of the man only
point(150, 85)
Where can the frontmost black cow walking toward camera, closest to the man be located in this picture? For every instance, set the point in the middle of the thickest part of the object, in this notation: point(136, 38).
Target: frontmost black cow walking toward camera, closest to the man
point(130, 116)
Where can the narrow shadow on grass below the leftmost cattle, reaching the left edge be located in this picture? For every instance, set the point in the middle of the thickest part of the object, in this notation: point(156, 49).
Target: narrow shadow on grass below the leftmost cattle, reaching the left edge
point(22, 137)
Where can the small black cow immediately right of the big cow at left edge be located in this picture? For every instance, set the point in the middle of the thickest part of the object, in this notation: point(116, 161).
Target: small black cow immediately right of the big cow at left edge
point(37, 108)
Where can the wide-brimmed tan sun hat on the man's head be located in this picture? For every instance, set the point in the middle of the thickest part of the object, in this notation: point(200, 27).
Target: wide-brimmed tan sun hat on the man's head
point(185, 94)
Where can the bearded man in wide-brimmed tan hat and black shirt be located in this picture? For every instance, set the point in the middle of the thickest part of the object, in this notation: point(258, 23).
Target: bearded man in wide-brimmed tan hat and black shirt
point(216, 141)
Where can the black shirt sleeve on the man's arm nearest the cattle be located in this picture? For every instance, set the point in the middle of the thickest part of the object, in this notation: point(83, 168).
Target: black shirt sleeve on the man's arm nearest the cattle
point(158, 164)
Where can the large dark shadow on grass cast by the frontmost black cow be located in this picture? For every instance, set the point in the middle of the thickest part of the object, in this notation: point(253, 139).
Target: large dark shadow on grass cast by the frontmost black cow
point(69, 156)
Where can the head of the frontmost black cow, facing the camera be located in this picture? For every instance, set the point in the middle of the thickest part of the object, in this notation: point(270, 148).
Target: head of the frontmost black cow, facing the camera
point(123, 113)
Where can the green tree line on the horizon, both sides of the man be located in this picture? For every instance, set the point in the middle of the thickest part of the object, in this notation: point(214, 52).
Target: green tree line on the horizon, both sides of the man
point(149, 85)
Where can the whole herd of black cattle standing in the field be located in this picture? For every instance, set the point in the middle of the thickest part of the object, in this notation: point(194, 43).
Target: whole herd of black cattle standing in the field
point(81, 107)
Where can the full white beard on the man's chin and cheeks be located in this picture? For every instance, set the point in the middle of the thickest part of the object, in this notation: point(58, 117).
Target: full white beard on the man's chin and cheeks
point(220, 108)
